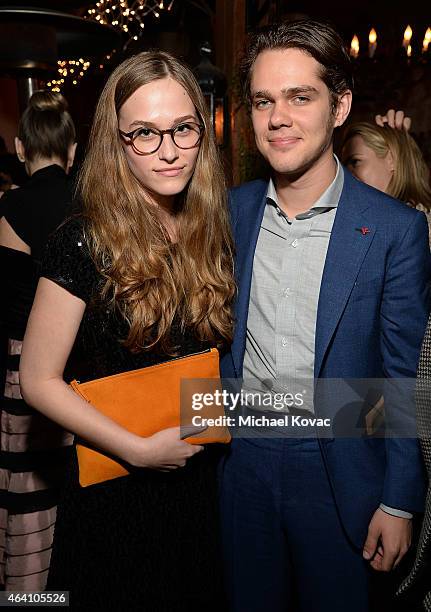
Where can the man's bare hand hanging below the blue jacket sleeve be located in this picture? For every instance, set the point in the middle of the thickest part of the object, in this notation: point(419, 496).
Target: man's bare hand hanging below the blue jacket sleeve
point(389, 538)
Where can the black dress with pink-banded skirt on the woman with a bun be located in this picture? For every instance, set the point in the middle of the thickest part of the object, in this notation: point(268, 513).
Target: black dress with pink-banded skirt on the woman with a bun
point(34, 450)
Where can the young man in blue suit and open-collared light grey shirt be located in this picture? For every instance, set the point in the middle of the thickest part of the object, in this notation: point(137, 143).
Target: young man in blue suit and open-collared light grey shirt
point(332, 284)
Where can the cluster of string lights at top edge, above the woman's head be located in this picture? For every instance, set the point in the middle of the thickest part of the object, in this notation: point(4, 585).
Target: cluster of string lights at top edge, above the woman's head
point(127, 15)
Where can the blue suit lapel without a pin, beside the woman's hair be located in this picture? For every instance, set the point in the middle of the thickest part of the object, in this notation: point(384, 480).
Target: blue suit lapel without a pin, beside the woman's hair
point(246, 234)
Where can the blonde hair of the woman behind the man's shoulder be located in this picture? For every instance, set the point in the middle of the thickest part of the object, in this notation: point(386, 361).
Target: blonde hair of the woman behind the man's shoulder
point(410, 181)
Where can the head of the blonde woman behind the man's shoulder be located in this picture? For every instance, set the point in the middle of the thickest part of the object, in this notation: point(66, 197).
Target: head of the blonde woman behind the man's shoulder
point(390, 160)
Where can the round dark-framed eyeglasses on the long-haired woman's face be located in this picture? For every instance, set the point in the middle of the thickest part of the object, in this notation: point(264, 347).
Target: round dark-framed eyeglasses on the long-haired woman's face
point(146, 140)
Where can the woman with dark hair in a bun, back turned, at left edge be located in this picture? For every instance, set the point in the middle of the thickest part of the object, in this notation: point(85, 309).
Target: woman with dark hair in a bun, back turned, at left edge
point(33, 448)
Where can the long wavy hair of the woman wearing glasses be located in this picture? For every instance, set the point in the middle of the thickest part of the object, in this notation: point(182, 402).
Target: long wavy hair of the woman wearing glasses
point(149, 279)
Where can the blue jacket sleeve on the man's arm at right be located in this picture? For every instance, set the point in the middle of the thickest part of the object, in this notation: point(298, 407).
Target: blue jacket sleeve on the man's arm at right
point(404, 314)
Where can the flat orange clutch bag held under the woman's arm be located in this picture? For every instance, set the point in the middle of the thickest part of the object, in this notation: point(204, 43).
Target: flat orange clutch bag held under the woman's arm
point(148, 400)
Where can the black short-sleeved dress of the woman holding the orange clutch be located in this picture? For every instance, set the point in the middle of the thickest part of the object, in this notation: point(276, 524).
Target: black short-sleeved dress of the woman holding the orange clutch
point(148, 541)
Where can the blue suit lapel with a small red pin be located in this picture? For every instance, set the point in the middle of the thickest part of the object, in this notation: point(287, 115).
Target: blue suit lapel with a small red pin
point(351, 237)
